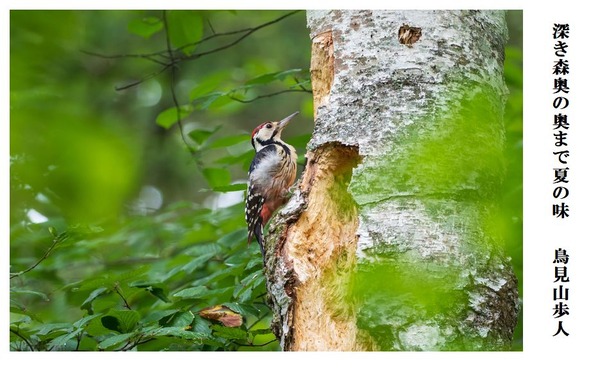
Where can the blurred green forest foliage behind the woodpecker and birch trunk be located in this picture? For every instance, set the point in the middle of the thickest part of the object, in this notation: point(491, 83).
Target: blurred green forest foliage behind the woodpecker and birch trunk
point(138, 222)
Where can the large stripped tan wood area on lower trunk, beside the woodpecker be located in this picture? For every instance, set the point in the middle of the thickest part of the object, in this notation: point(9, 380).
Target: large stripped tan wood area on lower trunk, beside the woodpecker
point(311, 250)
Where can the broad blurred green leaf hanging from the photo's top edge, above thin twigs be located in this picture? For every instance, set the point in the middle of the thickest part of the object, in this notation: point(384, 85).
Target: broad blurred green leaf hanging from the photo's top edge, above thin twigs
point(185, 28)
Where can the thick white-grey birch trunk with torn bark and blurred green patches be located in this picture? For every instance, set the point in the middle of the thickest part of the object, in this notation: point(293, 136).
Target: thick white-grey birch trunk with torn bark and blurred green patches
point(388, 242)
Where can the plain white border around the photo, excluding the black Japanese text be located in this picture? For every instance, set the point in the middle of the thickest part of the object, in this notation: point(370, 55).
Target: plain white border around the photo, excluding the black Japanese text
point(569, 363)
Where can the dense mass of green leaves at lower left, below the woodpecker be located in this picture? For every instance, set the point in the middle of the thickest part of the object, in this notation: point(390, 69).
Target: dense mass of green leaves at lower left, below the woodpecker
point(147, 287)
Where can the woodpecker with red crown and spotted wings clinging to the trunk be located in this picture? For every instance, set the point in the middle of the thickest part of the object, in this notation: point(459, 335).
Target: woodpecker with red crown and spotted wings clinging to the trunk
point(271, 174)
